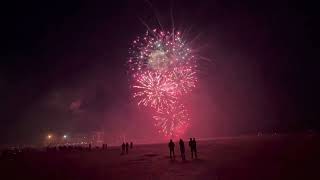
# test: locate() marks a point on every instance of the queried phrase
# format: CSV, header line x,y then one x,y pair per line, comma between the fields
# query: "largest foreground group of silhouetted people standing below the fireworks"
x,y
192,145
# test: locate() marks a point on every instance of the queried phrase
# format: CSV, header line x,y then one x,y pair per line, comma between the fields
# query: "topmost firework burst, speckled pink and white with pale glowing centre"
x,y
158,50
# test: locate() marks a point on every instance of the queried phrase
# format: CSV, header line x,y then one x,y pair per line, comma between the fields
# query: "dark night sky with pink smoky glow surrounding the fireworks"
x,y
62,68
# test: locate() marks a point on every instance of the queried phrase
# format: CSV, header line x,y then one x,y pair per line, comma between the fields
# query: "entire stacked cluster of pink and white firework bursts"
x,y
163,69
